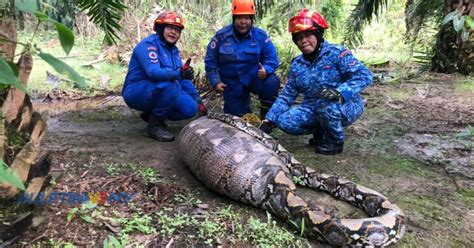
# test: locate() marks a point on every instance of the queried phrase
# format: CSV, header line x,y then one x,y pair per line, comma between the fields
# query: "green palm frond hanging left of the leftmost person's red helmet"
x,y
106,14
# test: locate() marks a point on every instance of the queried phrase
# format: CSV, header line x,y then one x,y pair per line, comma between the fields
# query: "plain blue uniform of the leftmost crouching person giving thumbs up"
x,y
154,83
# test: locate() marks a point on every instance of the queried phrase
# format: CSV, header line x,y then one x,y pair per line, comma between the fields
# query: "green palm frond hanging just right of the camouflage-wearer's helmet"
x,y
360,16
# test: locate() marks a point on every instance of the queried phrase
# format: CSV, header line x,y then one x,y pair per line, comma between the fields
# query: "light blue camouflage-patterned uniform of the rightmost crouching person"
x,y
334,68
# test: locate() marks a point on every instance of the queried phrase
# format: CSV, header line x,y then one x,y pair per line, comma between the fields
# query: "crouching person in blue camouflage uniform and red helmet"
x,y
329,77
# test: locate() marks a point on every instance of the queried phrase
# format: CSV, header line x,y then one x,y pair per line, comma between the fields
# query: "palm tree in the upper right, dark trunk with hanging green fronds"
x,y
454,47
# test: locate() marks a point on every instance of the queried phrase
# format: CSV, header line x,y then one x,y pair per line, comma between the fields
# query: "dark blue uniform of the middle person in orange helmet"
x,y
235,63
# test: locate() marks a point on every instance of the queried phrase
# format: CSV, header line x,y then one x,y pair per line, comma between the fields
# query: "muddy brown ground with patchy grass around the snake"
x,y
414,144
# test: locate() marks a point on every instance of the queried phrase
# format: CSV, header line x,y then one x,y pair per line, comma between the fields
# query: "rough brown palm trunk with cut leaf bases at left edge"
x,y
17,116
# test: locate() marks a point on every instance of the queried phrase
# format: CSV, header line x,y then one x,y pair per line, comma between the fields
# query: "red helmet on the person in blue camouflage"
x,y
306,20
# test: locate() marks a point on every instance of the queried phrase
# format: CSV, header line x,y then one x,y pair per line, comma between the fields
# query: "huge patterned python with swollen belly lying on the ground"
x,y
240,161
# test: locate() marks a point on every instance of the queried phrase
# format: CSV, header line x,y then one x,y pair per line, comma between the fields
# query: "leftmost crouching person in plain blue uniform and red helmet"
x,y
157,82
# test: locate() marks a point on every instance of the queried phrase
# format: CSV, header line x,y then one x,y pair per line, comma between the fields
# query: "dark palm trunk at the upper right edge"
x,y
452,53
